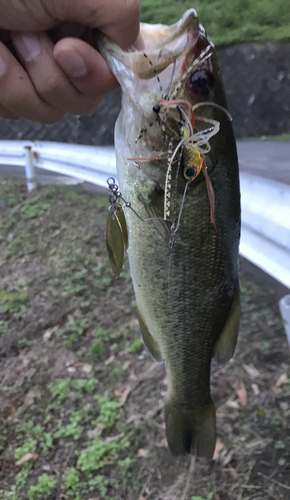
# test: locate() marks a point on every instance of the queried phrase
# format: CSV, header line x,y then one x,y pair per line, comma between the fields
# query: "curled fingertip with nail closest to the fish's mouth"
x,y
85,67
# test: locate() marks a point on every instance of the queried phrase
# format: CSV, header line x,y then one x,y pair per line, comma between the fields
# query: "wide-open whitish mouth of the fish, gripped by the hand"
x,y
163,47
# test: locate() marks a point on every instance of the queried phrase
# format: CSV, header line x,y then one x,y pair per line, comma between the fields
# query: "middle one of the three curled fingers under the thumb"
x,y
49,80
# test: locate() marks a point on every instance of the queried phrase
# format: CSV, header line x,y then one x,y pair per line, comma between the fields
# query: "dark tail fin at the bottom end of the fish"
x,y
191,431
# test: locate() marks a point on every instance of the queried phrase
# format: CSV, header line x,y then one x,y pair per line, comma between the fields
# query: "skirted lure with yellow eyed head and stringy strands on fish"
x,y
192,145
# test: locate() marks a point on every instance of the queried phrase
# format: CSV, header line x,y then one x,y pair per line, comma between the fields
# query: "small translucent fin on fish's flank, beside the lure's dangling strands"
x,y
154,206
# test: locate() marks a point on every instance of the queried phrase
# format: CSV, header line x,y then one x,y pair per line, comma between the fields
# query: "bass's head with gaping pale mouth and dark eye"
x,y
176,62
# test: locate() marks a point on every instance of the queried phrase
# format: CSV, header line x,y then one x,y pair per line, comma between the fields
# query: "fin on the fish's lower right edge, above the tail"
x,y
226,343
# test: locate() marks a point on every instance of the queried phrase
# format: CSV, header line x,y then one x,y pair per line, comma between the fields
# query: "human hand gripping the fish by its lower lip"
x,y
51,68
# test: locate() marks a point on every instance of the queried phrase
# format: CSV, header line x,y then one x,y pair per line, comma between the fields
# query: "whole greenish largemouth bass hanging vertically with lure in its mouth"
x,y
178,178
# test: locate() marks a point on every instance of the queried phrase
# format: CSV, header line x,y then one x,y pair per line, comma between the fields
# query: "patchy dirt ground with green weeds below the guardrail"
x,y
81,405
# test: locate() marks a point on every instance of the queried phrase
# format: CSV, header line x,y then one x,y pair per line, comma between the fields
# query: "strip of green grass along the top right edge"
x,y
227,22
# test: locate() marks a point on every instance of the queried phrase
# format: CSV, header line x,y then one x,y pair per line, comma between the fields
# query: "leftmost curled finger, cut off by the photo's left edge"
x,y
17,94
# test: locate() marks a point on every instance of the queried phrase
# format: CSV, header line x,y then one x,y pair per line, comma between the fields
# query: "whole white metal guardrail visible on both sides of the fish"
x,y
265,238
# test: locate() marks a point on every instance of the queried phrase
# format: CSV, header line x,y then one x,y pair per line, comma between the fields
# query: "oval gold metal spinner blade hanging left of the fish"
x,y
116,240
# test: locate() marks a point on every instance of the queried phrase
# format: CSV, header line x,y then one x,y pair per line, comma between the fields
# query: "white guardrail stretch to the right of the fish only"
x,y
265,237
